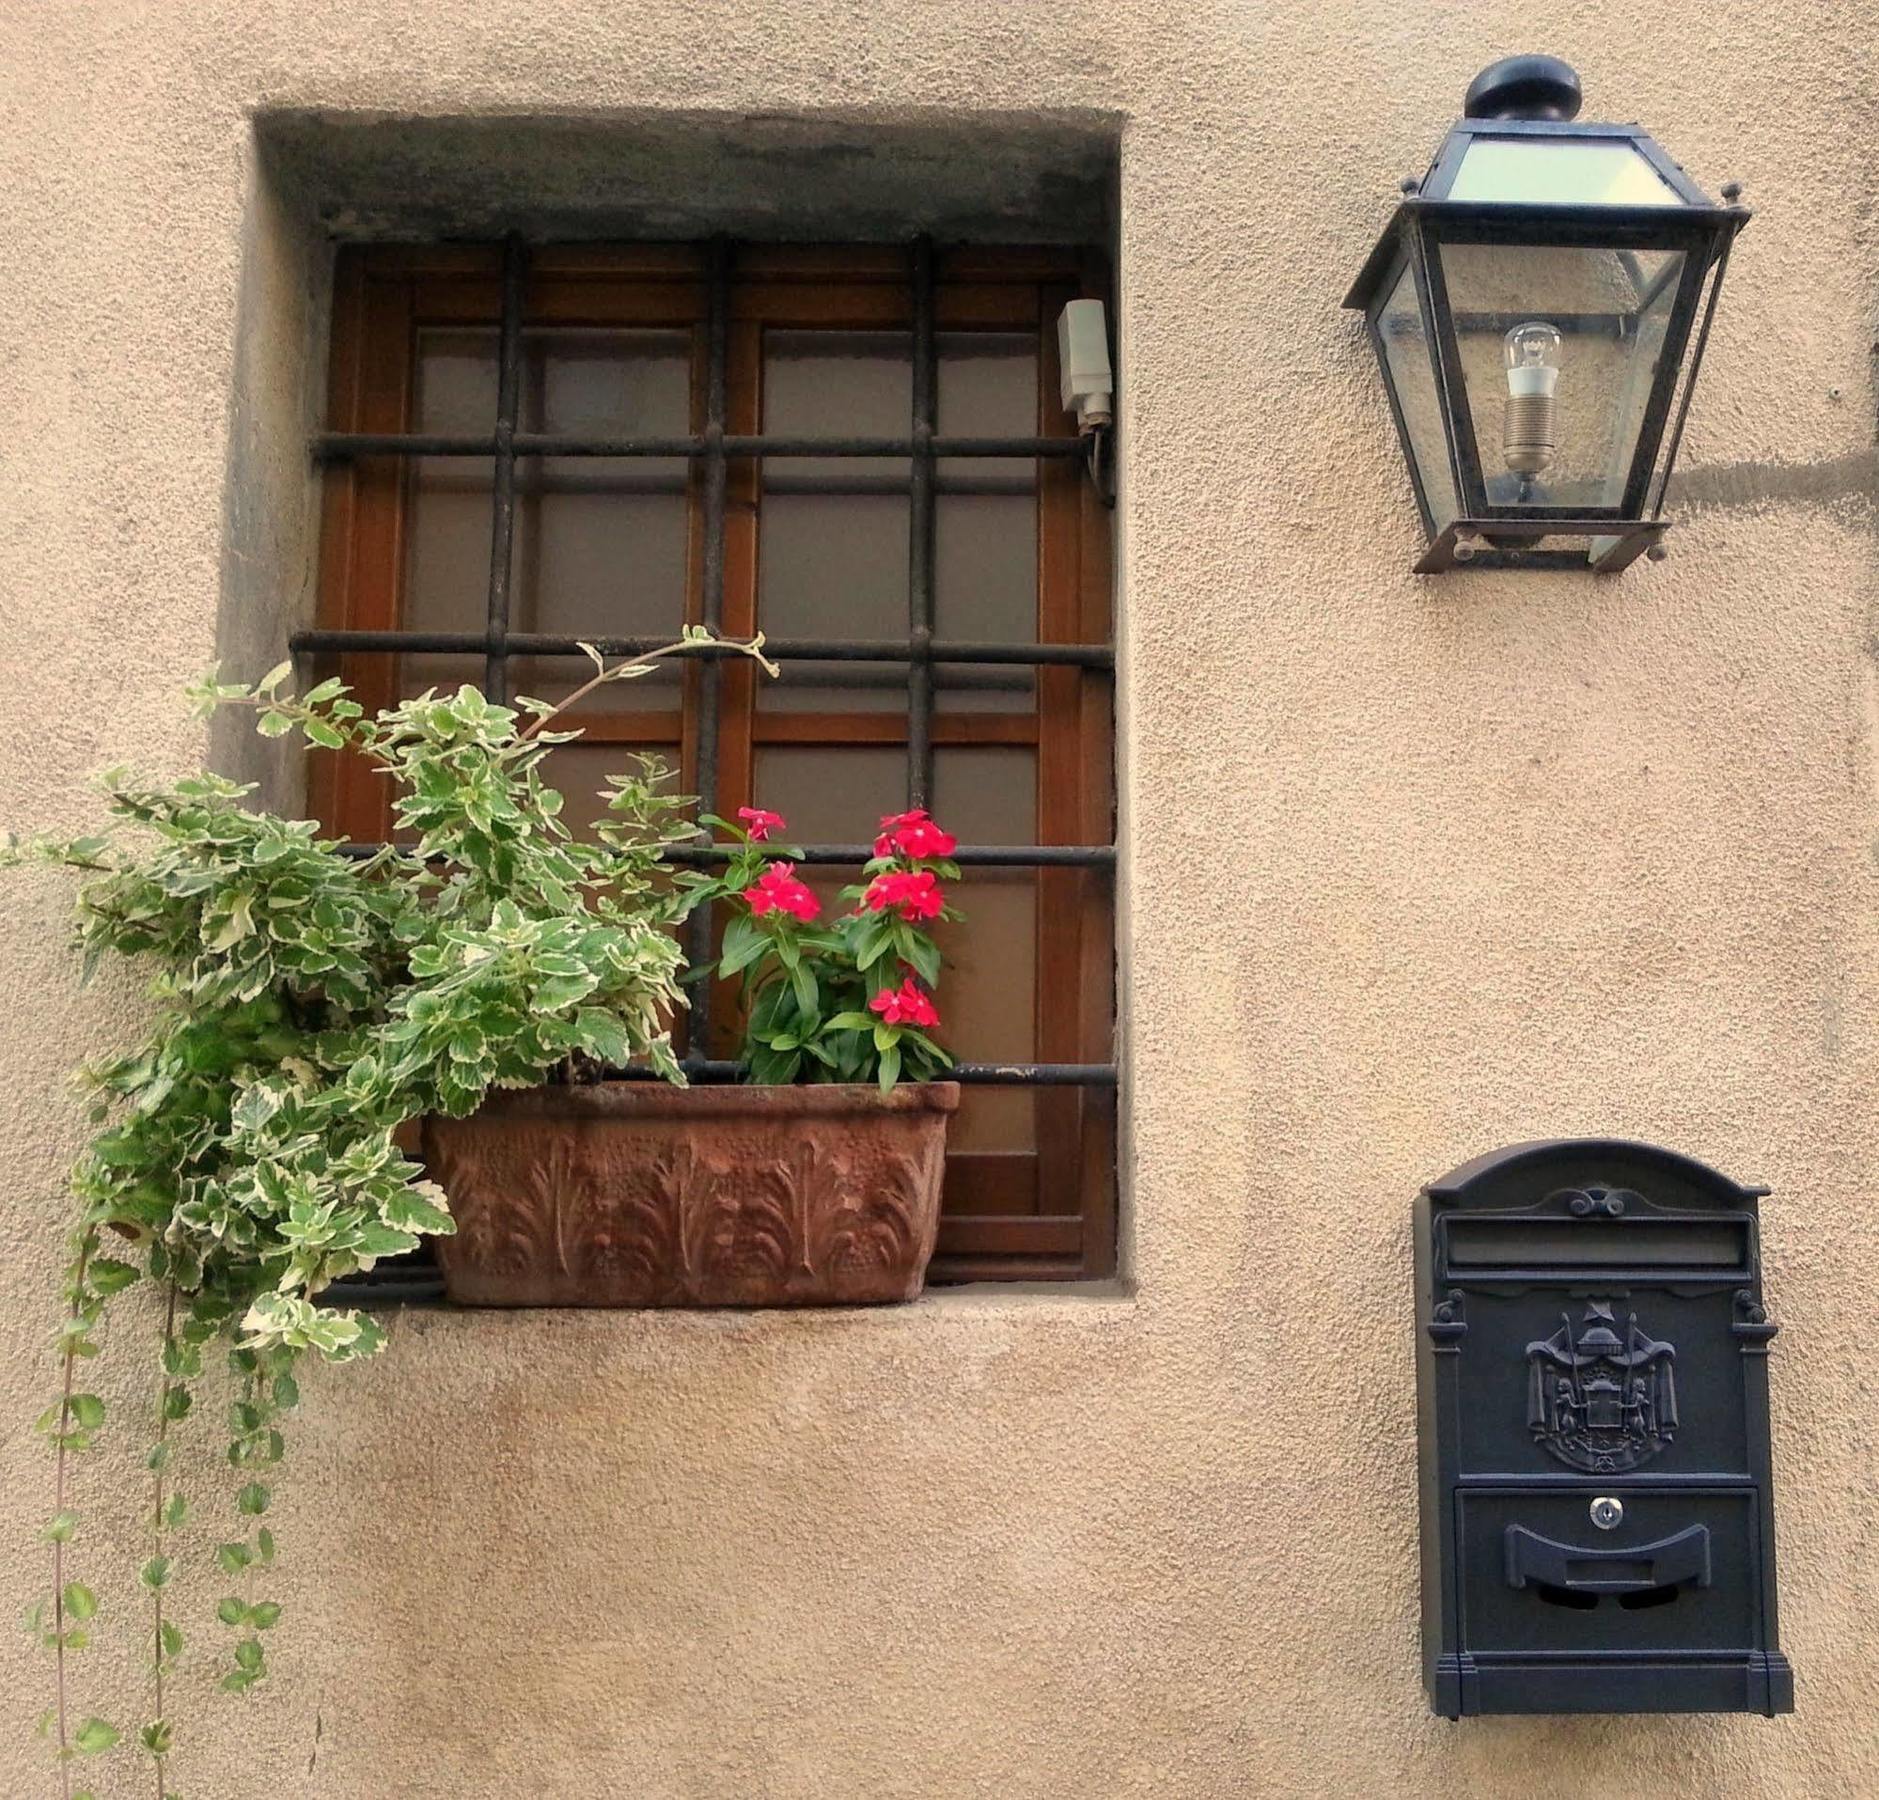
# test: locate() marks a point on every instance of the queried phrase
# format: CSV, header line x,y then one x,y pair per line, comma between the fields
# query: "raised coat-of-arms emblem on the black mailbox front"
x,y
1602,1397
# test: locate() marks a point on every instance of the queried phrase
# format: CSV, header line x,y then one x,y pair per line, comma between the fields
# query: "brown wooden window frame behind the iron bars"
x,y
993,1226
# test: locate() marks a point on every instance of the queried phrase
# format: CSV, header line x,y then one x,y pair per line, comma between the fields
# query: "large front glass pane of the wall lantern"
x,y
1611,311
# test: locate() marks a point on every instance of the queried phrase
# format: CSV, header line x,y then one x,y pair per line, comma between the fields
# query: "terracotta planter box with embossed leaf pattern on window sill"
x,y
638,1194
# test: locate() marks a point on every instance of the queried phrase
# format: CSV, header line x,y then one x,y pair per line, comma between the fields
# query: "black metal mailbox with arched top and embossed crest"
x,y
1592,1378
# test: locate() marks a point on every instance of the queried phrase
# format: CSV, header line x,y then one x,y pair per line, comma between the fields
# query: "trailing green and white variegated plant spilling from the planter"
x,y
307,1004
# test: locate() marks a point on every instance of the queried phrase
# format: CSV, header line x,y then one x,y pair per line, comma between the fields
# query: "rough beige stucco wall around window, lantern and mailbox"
x,y
1429,867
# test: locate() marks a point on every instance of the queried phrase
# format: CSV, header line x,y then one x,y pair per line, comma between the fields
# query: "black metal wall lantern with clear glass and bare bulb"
x,y
1532,307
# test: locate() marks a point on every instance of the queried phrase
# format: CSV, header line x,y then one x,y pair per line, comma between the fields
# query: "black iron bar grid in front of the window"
x,y
715,450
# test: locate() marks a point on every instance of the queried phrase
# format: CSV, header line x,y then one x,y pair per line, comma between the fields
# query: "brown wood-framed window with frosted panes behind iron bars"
x,y
858,452
